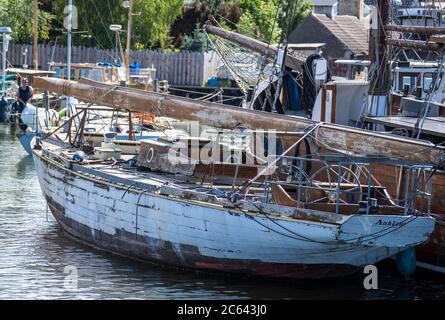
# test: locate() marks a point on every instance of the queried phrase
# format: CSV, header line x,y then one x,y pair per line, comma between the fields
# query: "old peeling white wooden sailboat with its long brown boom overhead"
x,y
166,213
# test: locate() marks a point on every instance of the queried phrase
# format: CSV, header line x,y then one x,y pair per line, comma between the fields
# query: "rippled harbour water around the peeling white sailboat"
x,y
36,259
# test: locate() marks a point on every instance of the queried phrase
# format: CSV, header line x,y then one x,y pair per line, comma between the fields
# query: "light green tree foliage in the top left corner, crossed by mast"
x,y
19,16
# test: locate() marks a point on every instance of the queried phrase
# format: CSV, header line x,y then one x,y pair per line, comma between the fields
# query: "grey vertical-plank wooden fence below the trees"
x,y
178,68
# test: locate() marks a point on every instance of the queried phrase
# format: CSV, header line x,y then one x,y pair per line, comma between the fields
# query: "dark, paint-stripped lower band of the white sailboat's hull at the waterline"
x,y
166,253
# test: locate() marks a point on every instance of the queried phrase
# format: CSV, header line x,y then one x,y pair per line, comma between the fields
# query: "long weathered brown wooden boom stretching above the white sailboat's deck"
x,y
358,141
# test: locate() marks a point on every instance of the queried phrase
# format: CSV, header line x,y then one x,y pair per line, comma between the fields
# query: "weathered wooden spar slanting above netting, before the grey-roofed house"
x,y
292,60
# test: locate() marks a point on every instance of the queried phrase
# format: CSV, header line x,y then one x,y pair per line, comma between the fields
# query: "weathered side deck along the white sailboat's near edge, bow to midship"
x,y
182,187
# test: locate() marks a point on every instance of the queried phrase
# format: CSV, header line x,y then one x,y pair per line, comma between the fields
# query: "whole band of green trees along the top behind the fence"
x,y
156,23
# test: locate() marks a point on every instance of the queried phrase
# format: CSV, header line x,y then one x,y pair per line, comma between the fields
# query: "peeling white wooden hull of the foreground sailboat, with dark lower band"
x,y
185,233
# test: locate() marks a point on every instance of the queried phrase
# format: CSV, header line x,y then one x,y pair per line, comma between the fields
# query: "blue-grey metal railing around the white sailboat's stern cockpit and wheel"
x,y
346,184
